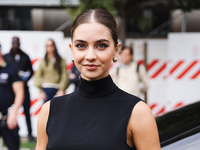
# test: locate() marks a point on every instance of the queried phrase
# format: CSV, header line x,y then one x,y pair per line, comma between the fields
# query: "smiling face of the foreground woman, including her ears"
x,y
93,50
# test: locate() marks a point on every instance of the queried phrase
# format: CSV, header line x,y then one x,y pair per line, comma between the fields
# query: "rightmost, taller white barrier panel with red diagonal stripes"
x,y
183,68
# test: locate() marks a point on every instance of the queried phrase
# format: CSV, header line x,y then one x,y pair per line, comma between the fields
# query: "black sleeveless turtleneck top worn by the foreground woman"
x,y
94,117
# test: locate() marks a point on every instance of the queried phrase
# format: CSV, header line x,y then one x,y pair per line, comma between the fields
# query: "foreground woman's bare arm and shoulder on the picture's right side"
x,y
143,128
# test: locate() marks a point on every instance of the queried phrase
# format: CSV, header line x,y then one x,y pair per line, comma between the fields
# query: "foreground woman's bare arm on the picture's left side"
x,y
42,137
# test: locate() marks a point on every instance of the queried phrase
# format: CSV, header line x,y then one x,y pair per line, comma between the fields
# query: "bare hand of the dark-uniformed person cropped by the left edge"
x,y
12,120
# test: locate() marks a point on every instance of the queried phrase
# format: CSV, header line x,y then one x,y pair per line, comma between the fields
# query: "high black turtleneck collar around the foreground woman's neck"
x,y
96,88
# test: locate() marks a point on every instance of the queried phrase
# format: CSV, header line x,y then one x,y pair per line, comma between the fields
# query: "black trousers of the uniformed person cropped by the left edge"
x,y
11,138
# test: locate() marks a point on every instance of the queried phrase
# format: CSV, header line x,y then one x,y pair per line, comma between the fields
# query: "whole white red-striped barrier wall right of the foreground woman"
x,y
173,68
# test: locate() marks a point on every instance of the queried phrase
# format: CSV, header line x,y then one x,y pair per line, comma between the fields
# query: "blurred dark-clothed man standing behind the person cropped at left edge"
x,y
17,57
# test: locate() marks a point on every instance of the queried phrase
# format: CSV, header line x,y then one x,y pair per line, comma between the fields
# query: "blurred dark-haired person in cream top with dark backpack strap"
x,y
129,75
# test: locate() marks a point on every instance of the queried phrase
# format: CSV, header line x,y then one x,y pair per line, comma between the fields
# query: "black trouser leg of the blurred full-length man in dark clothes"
x,y
26,106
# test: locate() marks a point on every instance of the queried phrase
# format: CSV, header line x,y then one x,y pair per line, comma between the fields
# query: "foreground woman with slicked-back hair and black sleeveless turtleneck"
x,y
98,115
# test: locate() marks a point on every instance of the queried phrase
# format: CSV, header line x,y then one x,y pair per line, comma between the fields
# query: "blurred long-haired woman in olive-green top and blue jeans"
x,y
51,77
